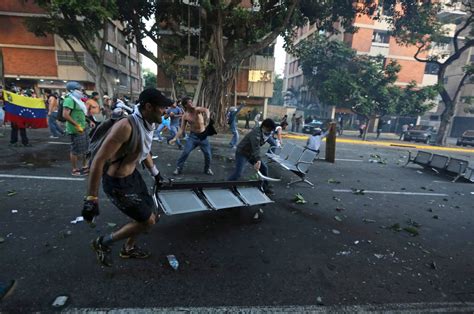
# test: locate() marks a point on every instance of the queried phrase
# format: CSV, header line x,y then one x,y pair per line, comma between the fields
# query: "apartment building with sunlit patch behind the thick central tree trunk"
x,y
255,78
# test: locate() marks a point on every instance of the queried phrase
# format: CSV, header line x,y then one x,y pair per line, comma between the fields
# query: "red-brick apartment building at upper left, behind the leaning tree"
x,y
47,62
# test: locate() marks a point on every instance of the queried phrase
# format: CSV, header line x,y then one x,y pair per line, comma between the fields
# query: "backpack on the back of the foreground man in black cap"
x,y
99,134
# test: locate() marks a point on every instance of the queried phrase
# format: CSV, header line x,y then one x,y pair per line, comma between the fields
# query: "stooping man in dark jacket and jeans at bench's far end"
x,y
248,150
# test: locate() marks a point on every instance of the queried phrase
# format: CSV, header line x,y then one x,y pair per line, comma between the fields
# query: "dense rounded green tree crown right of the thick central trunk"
x,y
365,84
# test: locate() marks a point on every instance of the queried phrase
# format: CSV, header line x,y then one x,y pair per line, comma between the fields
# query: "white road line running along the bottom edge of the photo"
x,y
435,307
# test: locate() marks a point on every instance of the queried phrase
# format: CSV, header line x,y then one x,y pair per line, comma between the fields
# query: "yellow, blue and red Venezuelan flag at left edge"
x,y
26,112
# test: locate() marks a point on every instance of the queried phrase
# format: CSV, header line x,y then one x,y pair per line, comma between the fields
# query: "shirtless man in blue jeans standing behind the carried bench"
x,y
198,118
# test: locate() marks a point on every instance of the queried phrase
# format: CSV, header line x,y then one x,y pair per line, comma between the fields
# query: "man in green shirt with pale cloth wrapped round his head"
x,y
75,112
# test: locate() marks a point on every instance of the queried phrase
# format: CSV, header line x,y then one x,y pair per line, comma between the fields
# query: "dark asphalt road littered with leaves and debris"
x,y
336,250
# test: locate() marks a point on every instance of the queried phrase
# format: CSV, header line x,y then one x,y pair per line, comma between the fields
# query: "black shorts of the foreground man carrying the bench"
x,y
130,195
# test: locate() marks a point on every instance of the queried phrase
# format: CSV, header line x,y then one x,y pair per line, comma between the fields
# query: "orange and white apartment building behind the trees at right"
x,y
372,38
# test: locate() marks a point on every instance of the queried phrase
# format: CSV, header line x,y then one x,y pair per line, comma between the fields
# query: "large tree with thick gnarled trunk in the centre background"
x,y
223,33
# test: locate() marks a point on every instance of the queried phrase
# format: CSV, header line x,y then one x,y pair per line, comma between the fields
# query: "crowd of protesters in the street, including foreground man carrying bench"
x,y
110,138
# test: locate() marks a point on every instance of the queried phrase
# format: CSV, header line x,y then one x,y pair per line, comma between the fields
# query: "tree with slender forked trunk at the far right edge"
x,y
419,24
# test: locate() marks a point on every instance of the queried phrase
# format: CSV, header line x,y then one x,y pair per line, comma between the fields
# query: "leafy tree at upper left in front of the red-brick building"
x,y
84,22
